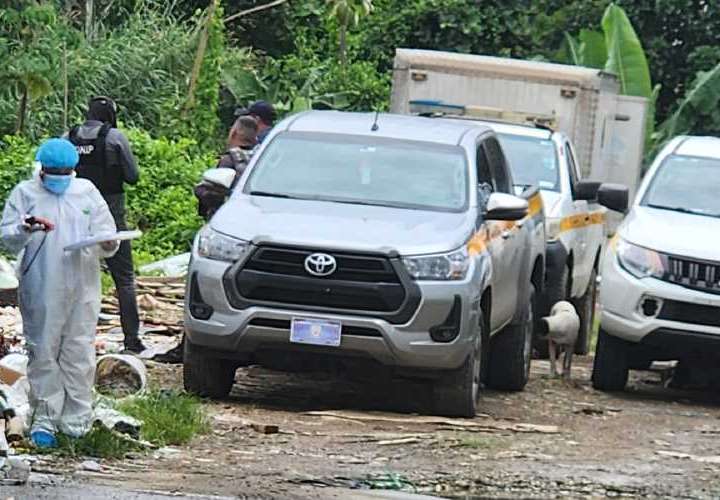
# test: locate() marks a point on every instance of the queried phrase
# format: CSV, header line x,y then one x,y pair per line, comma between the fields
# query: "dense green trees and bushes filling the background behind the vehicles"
x,y
179,69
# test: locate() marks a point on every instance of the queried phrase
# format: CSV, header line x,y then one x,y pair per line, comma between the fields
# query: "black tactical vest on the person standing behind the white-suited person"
x,y
93,163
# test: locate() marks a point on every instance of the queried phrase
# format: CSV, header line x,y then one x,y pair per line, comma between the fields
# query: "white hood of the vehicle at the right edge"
x,y
684,235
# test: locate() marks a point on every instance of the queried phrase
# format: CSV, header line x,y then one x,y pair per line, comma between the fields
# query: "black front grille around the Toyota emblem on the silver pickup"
x,y
365,283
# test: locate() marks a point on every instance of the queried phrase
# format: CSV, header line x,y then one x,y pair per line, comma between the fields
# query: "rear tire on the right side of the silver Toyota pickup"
x,y
511,351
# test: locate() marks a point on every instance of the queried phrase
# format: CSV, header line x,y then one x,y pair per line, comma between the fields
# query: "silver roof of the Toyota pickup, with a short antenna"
x,y
403,127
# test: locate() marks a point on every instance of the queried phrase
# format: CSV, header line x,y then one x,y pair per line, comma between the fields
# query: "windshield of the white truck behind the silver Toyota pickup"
x,y
533,161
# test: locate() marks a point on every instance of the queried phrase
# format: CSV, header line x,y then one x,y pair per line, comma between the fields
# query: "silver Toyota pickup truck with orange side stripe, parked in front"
x,y
393,240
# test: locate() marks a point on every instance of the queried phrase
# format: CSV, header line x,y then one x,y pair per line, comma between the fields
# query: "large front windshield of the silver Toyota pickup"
x,y
362,170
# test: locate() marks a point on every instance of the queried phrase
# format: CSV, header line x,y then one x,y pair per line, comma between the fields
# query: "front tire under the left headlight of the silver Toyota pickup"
x,y
205,376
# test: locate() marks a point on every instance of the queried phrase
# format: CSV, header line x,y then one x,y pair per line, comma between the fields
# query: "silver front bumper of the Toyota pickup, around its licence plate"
x,y
240,333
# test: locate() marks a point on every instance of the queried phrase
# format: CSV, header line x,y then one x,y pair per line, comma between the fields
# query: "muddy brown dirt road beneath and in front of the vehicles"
x,y
650,442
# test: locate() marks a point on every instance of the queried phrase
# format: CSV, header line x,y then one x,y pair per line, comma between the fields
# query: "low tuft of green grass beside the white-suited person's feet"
x,y
168,417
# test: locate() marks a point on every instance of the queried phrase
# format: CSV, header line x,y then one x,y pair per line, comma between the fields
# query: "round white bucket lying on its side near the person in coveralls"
x,y
119,375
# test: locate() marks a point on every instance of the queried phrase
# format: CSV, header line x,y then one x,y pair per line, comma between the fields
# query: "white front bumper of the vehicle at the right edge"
x,y
622,297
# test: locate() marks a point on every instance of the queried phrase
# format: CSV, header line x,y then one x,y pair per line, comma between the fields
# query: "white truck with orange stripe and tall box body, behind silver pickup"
x,y
568,124
